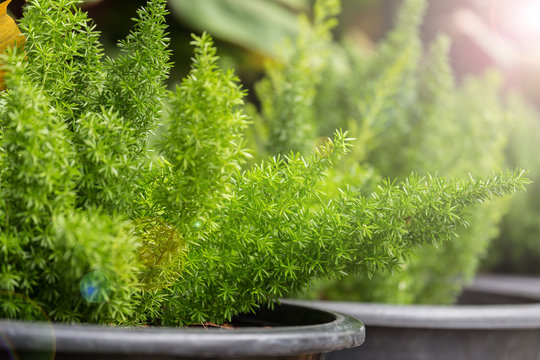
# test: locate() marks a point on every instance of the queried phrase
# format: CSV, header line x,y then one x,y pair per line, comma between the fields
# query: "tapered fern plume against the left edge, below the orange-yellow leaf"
x,y
39,176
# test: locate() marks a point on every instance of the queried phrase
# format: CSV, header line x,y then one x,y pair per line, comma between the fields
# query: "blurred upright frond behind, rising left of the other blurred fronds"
x,y
287,92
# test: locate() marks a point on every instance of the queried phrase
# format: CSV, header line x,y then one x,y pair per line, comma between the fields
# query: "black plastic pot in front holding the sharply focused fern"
x,y
287,332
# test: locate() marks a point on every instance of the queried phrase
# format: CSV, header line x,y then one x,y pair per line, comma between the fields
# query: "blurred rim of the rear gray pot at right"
x,y
464,317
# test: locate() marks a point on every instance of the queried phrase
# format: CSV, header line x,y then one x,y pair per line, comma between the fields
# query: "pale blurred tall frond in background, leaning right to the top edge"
x,y
384,87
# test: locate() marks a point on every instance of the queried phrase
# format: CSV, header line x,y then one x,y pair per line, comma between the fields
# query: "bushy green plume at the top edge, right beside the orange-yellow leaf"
x,y
65,54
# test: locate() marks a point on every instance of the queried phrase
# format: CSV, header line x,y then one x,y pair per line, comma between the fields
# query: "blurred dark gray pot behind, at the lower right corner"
x,y
508,328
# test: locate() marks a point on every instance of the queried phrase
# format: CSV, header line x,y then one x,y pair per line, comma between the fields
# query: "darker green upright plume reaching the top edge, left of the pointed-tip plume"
x,y
134,83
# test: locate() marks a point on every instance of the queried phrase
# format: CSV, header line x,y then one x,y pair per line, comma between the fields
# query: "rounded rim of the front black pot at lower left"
x,y
343,332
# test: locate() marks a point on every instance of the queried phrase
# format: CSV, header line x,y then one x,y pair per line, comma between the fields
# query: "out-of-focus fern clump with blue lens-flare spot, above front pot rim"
x,y
97,268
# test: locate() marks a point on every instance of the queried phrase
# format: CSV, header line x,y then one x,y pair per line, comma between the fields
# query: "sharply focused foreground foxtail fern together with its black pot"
x,y
109,216
